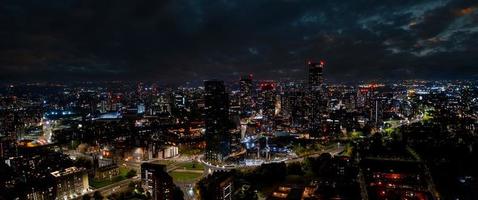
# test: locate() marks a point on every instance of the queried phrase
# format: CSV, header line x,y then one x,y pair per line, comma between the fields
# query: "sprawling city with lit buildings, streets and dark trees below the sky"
x,y
279,139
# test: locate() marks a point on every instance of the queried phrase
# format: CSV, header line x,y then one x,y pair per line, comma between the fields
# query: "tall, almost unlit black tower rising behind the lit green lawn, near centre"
x,y
218,139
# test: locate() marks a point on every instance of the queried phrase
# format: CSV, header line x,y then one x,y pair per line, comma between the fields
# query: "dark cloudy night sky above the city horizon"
x,y
183,40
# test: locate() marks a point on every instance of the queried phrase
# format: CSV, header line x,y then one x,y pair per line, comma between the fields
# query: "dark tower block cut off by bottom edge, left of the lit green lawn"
x,y
157,181
